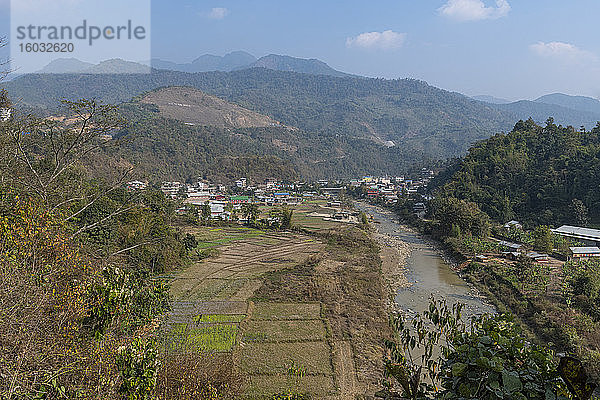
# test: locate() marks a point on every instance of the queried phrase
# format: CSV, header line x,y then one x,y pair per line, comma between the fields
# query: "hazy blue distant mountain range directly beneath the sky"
x,y
426,122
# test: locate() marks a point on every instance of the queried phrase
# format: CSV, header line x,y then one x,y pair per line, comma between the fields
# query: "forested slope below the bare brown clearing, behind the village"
x,y
161,148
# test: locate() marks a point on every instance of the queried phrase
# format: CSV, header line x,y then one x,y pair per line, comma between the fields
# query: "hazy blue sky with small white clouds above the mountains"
x,y
506,48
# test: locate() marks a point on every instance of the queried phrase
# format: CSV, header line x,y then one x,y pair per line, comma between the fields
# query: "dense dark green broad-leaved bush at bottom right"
x,y
493,361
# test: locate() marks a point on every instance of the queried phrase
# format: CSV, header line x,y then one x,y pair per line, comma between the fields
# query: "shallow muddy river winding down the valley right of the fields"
x,y
427,272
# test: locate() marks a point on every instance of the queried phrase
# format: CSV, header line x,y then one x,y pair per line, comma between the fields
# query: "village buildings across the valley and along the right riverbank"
x,y
226,202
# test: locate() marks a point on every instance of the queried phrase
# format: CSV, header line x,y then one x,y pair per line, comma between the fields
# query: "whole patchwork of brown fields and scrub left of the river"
x,y
295,310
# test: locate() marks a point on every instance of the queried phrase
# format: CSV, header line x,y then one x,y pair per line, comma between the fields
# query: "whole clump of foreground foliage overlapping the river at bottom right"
x,y
435,355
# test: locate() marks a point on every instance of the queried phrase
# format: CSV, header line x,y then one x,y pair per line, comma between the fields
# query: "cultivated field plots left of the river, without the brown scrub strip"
x,y
281,345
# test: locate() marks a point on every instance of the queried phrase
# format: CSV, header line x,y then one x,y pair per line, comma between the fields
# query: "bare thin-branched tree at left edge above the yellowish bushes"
x,y
48,155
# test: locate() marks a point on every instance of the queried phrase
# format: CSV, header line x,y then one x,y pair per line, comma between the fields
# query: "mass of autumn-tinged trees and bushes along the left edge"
x,y
80,260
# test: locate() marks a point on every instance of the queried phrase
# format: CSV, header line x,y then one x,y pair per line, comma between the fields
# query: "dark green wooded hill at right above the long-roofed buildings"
x,y
541,174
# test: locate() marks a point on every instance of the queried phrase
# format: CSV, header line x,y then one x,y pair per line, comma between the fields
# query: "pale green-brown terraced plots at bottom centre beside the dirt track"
x,y
284,347
